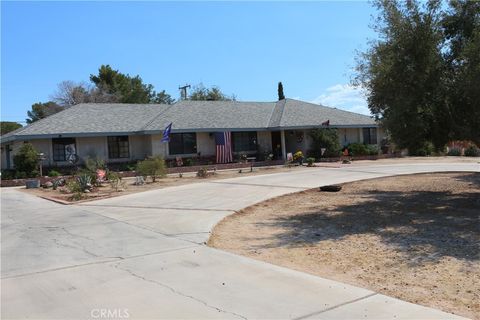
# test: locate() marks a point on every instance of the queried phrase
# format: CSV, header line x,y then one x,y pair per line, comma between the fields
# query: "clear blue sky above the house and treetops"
x,y
245,48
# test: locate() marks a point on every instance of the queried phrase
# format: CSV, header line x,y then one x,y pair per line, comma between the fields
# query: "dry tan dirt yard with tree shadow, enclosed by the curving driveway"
x,y
412,237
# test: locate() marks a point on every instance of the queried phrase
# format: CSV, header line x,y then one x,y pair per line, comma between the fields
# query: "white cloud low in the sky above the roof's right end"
x,y
344,96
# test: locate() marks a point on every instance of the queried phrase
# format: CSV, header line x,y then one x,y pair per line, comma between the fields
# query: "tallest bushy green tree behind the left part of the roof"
x,y
126,89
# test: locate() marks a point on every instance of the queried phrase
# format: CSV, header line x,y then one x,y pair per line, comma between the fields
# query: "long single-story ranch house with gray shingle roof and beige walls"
x,y
129,132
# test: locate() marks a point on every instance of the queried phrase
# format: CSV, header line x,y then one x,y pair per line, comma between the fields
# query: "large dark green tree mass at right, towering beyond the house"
x,y
429,92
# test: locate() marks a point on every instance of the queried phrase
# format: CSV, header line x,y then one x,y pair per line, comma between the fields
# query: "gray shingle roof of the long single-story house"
x,y
114,118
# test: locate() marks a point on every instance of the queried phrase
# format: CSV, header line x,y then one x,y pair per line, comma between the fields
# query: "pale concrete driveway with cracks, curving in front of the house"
x,y
142,256
